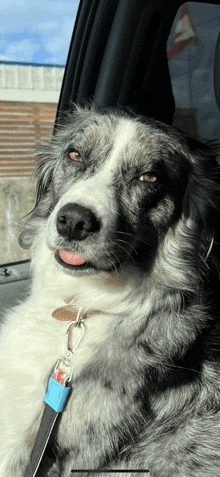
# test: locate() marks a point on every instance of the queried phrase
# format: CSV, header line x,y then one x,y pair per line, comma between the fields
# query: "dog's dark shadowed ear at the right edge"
x,y
201,203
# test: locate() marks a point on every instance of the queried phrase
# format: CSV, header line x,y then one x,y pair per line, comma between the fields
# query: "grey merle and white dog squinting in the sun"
x,y
126,236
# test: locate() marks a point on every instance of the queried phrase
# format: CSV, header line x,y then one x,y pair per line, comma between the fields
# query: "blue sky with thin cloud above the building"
x,y
36,31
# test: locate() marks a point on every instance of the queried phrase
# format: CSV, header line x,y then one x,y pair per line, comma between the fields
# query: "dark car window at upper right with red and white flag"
x,y
191,52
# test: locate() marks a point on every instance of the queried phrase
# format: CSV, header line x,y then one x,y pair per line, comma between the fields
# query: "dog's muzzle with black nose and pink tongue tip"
x,y
86,244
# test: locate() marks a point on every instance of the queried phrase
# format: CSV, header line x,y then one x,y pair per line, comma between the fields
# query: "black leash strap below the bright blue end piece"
x,y
46,426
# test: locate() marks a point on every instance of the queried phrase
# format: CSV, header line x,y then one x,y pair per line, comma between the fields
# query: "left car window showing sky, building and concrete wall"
x,y
33,51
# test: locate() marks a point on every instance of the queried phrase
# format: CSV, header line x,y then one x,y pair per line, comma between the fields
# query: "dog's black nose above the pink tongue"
x,y
76,222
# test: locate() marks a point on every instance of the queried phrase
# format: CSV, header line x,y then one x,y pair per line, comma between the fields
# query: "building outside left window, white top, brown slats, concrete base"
x,y
29,94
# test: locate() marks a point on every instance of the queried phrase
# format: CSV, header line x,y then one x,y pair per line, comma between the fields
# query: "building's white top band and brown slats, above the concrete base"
x,y
29,94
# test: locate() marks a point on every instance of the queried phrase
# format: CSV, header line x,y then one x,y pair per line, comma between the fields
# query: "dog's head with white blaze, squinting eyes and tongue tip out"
x,y
113,187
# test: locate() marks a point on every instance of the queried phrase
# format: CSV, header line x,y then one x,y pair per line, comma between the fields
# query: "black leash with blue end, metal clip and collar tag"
x,y
59,387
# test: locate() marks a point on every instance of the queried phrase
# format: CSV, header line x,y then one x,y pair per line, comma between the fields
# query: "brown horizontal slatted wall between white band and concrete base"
x,y
23,126
